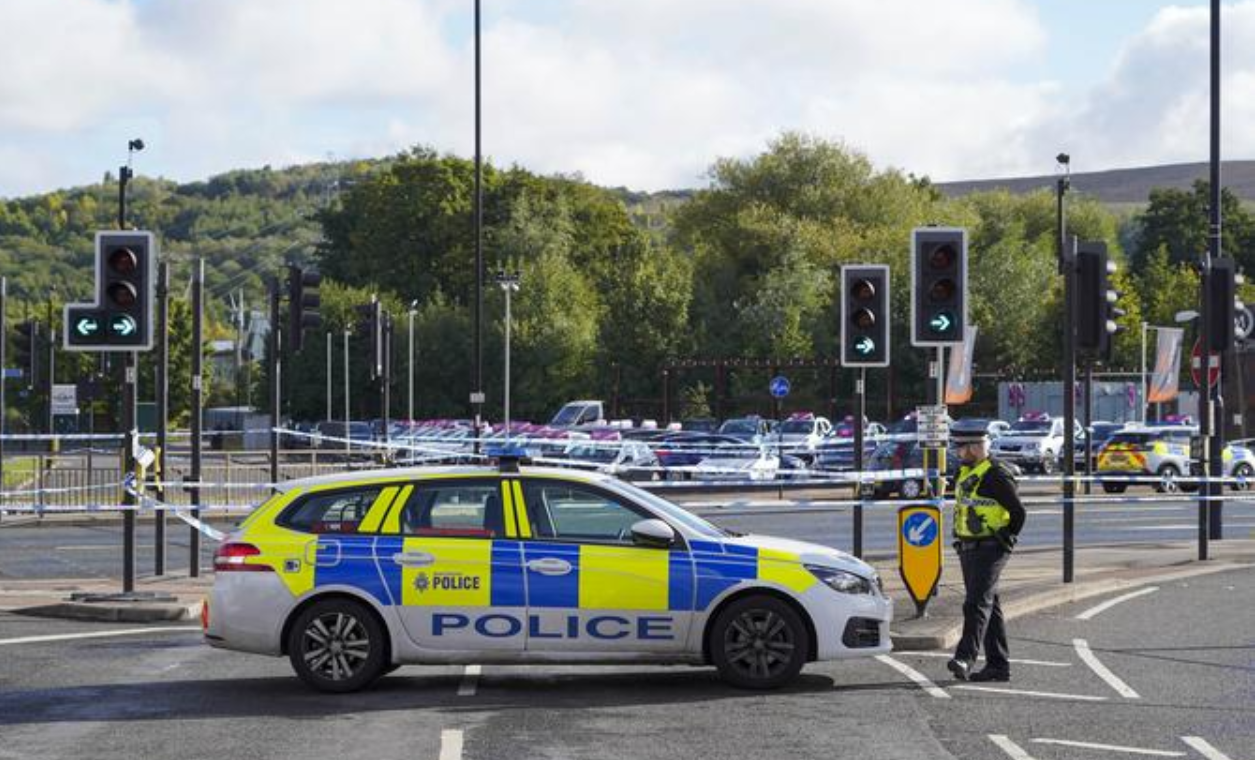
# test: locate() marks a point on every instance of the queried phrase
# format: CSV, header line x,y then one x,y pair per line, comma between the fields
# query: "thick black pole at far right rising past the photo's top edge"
x,y
1215,397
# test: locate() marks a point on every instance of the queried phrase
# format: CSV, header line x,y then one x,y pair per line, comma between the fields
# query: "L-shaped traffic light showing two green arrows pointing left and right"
x,y
121,317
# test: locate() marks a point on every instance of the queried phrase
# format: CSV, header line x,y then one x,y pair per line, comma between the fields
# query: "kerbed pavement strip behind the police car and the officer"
x,y
1032,583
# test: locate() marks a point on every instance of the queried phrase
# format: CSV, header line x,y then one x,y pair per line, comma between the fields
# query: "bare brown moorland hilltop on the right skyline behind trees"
x,y
1123,186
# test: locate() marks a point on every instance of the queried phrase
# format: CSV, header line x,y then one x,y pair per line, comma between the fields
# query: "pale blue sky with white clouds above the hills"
x,y
638,93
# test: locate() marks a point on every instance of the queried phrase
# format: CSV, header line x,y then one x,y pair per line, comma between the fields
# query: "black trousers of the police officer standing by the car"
x,y
982,615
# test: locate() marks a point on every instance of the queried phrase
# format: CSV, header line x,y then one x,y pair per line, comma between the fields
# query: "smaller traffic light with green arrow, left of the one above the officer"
x,y
865,315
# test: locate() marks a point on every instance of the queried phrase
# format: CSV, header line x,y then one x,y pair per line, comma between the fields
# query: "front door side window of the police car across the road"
x,y
570,512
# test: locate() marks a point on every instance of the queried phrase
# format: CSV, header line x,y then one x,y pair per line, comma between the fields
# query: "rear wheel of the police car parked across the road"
x,y
338,647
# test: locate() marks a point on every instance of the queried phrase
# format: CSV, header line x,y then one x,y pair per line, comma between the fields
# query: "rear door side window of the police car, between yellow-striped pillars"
x,y
469,510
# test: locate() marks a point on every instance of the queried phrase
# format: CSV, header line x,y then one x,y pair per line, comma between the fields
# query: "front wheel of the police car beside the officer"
x,y
759,643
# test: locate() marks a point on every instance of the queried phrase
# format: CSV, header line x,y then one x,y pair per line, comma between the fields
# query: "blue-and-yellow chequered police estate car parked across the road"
x,y
353,575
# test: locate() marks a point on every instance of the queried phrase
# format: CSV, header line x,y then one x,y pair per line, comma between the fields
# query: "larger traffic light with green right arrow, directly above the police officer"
x,y
939,283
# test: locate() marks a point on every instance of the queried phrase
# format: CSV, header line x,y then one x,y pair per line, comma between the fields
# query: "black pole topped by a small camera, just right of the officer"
x,y
1067,265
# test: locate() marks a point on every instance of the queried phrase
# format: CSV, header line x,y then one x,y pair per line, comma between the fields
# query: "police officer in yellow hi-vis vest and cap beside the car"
x,y
987,524
